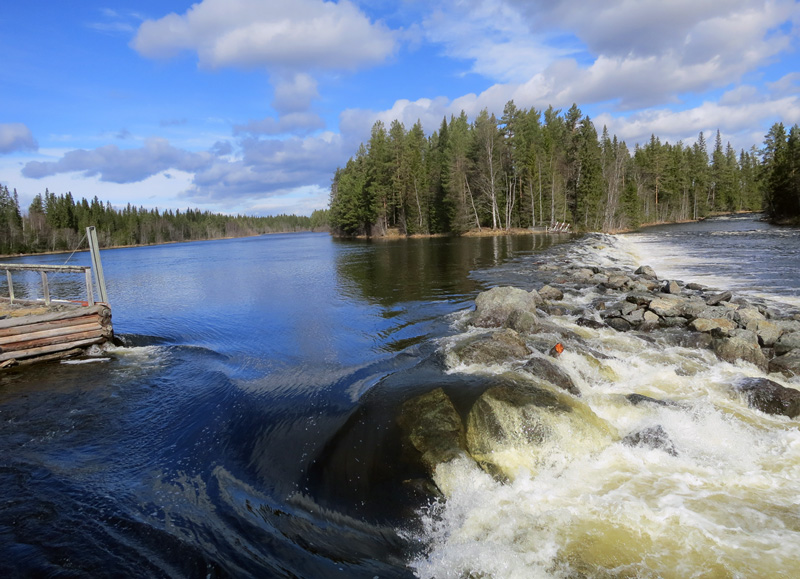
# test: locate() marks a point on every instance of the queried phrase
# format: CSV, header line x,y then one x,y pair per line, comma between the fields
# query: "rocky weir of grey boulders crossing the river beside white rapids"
x,y
512,327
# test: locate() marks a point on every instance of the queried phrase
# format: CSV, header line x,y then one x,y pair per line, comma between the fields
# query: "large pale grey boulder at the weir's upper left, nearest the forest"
x,y
506,307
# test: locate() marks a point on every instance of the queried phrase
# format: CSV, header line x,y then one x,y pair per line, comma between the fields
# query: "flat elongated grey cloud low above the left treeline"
x,y
117,165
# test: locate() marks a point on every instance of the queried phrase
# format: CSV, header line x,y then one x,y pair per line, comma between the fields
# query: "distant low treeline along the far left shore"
x,y
58,222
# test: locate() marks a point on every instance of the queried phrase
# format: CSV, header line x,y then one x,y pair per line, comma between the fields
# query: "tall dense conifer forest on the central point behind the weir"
x,y
532,168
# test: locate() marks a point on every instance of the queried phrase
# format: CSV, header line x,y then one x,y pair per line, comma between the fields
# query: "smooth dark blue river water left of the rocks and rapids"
x,y
247,427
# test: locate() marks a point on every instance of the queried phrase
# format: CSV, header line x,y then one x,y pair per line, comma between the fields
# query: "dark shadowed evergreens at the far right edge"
x,y
781,172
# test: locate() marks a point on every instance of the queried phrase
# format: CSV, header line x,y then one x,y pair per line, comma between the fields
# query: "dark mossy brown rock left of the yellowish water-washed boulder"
x,y
434,427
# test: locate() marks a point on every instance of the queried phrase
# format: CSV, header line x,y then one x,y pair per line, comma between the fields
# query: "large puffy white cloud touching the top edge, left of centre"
x,y
269,34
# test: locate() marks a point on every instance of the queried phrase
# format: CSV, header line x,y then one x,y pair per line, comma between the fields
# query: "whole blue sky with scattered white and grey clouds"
x,y
249,106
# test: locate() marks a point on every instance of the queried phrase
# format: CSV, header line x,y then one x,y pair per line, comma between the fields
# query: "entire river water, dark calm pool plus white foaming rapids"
x,y
247,426
